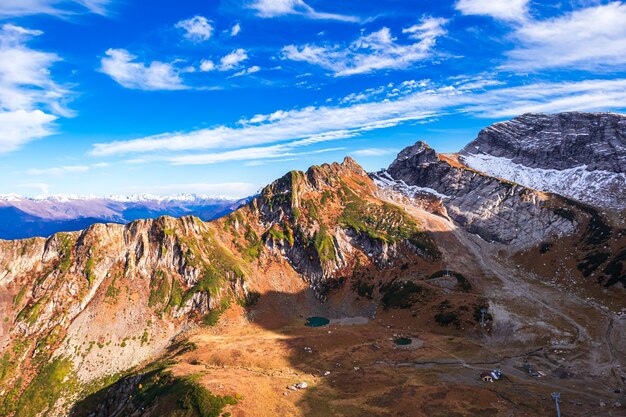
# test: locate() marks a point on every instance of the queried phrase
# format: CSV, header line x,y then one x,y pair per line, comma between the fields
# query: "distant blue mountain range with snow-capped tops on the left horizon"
x,y
22,217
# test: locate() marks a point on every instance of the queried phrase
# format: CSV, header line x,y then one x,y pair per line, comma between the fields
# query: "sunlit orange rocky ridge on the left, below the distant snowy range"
x,y
110,297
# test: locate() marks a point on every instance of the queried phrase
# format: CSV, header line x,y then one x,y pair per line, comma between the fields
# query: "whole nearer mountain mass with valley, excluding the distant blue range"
x,y
422,277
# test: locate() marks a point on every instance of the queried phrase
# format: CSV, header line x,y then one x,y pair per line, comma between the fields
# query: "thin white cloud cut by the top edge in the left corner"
x,y
14,8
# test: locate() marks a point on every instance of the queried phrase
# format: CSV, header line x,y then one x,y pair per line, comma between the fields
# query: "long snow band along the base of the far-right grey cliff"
x,y
599,188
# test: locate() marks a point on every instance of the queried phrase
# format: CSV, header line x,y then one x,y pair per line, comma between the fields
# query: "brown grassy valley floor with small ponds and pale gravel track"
x,y
356,370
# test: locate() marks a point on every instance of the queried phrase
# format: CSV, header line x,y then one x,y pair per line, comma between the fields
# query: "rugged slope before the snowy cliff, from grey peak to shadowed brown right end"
x,y
520,219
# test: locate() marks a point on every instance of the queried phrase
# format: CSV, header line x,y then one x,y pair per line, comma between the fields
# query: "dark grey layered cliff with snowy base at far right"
x,y
578,155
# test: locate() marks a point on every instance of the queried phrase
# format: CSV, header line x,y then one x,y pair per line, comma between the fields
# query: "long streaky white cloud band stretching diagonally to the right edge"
x,y
408,102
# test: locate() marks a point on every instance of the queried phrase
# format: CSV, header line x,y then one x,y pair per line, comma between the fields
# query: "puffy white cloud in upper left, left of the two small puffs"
x,y
120,65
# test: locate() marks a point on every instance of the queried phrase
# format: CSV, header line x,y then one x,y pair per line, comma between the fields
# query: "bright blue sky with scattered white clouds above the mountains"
x,y
102,97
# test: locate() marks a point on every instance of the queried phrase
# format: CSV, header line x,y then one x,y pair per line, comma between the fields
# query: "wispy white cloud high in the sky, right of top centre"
x,y
375,51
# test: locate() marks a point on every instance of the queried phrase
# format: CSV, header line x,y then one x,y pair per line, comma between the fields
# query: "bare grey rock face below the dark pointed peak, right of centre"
x,y
496,210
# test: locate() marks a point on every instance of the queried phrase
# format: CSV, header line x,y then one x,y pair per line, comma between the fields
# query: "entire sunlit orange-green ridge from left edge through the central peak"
x,y
98,302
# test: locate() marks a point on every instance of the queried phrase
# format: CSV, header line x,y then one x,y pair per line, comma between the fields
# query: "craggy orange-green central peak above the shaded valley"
x,y
317,220
